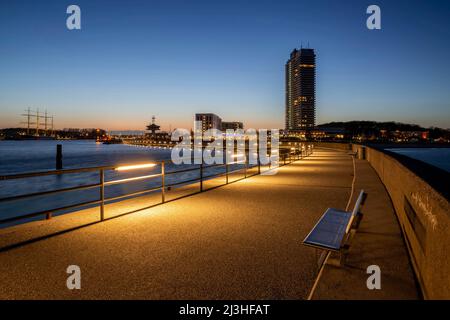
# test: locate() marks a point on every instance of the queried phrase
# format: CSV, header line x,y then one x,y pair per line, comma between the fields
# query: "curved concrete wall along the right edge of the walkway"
x,y
424,217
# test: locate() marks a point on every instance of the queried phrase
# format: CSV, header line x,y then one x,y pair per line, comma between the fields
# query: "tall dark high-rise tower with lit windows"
x,y
300,91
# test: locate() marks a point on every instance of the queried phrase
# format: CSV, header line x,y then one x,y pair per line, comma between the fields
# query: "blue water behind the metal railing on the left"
x,y
29,156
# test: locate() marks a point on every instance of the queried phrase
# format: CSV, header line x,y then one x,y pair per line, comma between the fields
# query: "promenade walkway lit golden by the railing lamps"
x,y
240,241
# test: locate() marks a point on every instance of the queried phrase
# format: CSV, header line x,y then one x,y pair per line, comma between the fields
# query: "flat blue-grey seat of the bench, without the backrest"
x,y
330,230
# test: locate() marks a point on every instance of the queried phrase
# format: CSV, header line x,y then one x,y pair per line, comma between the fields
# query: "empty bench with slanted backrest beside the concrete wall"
x,y
336,228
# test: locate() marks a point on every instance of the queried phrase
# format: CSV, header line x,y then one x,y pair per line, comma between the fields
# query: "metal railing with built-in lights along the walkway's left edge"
x,y
287,155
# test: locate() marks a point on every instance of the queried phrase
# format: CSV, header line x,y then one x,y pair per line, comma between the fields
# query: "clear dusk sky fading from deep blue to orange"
x,y
133,59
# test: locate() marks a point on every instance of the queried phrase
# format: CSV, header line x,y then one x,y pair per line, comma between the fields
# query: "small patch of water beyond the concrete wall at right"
x,y
438,157
